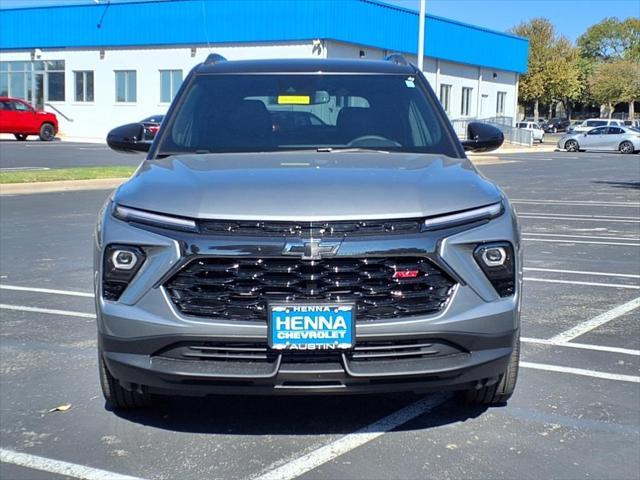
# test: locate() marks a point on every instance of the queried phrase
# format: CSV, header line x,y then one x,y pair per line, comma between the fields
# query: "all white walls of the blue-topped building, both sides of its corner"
x,y
95,119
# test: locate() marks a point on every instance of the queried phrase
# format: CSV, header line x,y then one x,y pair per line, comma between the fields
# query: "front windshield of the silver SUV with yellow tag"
x,y
253,113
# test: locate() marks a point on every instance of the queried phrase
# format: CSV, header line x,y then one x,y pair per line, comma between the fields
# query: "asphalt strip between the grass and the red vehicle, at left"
x,y
57,154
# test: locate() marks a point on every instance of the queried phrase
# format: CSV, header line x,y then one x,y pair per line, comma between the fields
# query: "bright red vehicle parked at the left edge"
x,y
21,119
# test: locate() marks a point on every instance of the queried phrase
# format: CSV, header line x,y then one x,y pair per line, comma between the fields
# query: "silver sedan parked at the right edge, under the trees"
x,y
622,139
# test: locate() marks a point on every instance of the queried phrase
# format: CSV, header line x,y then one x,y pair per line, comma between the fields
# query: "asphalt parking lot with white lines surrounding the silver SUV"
x,y
575,413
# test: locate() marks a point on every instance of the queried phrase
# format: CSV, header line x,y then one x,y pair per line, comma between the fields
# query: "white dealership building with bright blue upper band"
x,y
104,64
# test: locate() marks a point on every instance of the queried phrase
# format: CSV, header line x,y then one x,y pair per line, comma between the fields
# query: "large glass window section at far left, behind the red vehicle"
x,y
36,82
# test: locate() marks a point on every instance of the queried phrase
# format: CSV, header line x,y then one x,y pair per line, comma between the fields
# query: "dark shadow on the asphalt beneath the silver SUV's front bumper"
x,y
299,415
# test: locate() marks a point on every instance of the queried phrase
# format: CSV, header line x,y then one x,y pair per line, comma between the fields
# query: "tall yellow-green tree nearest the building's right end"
x,y
553,71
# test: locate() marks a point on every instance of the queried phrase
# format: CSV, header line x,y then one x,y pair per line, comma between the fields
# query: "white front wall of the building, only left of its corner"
x,y
95,119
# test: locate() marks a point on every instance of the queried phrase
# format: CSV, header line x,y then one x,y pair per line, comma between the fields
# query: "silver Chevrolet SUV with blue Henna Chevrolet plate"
x,y
305,227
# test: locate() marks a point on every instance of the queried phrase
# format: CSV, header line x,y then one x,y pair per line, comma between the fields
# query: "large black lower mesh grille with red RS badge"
x,y
241,288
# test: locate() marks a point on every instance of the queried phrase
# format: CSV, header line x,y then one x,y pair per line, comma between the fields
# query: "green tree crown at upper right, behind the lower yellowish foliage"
x,y
612,39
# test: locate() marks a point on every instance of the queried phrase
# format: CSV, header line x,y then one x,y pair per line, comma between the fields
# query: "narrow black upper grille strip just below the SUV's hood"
x,y
311,229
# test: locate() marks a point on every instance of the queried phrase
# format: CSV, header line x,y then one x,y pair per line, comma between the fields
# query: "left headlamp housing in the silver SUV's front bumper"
x,y
121,263
